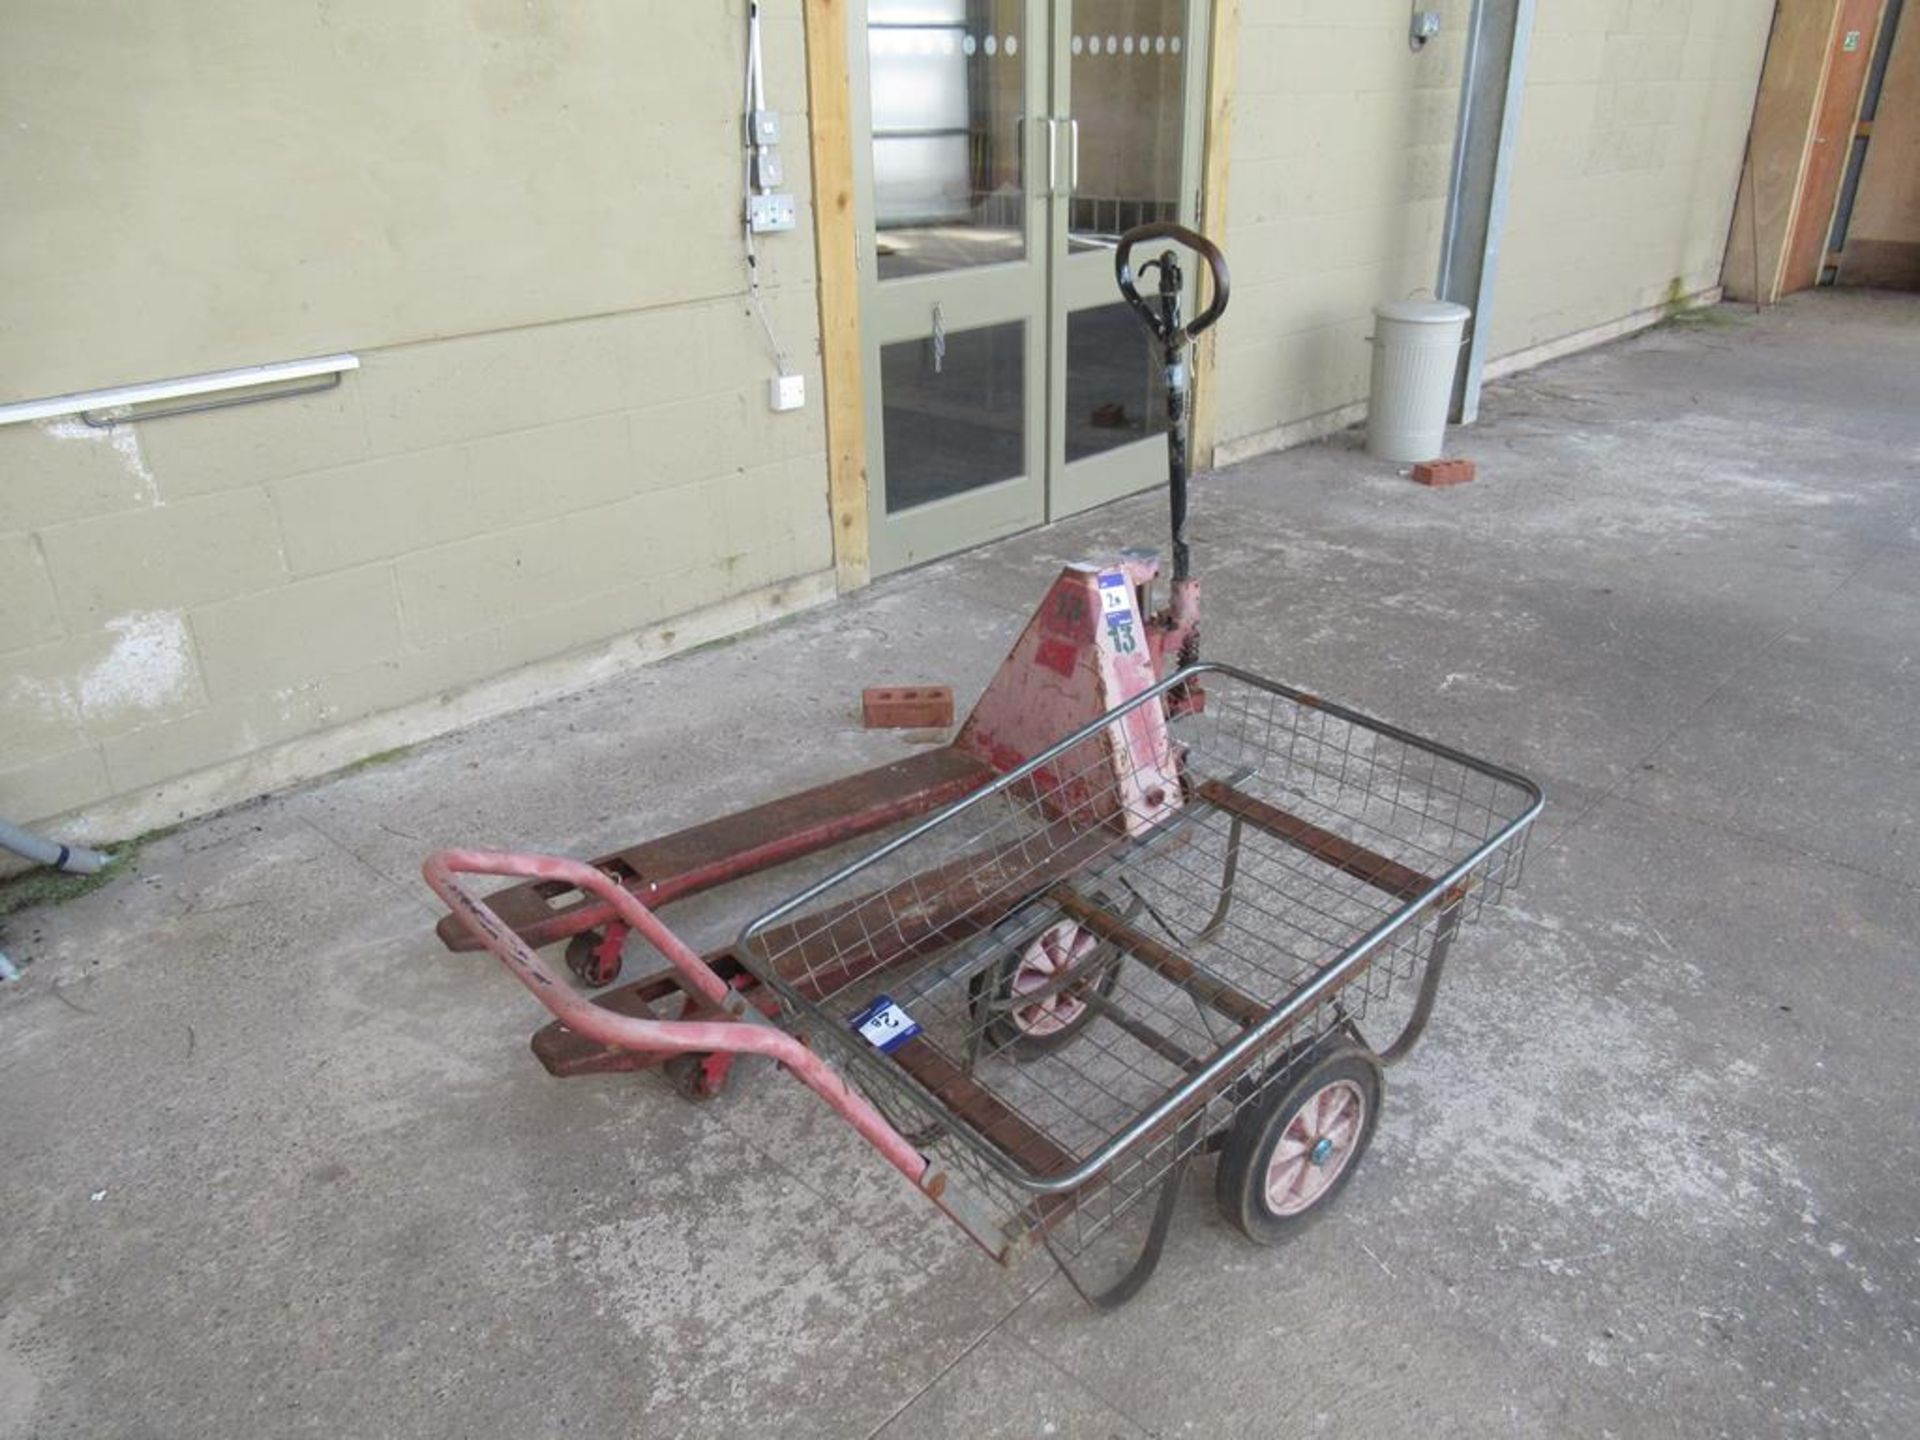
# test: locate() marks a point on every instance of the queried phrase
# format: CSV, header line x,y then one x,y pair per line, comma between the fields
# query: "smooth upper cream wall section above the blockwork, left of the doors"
x,y
260,181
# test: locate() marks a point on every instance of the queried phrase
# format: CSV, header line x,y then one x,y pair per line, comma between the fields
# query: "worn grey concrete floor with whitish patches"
x,y
276,1164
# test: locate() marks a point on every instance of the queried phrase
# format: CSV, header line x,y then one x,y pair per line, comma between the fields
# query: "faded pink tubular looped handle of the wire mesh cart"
x,y
742,1034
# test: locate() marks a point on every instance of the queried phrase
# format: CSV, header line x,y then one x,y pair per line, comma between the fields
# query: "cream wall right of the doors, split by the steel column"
x,y
1629,156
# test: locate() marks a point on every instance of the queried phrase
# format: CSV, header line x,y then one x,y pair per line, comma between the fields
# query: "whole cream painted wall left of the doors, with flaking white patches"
x,y
523,220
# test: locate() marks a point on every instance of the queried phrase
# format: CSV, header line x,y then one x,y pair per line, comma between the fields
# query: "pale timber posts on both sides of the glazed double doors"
x,y
836,256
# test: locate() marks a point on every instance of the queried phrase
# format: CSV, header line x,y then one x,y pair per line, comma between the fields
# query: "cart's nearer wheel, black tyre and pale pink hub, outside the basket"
x,y
1299,1143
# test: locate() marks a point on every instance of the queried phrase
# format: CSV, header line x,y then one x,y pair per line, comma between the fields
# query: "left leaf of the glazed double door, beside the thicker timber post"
x,y
955,299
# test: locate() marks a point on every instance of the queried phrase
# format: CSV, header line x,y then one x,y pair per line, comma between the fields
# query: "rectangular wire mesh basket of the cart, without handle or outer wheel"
x,y
1097,990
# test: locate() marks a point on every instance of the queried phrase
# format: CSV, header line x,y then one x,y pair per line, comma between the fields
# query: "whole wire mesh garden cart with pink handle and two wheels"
x,y
1199,926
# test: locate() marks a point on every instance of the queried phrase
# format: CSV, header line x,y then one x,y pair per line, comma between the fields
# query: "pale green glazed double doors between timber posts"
x,y
1003,147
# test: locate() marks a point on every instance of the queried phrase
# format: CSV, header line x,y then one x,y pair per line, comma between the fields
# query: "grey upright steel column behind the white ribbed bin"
x,y
1483,166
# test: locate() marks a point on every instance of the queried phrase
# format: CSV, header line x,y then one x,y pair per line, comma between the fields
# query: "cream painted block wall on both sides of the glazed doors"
x,y
558,456
